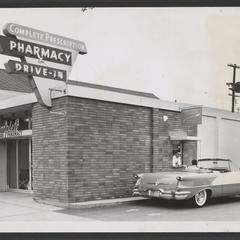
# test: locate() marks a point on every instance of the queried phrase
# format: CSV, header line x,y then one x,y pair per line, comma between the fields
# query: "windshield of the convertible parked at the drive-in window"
x,y
215,164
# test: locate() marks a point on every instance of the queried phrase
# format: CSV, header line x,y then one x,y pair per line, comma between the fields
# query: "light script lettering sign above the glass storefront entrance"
x,y
10,129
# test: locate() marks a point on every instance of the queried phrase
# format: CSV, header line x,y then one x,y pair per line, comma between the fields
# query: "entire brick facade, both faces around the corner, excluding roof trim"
x,y
93,151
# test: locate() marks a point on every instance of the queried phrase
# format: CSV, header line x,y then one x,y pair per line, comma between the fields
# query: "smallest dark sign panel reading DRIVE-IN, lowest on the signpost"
x,y
36,70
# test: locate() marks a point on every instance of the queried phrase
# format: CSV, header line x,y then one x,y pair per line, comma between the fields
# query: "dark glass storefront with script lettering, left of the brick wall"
x,y
13,129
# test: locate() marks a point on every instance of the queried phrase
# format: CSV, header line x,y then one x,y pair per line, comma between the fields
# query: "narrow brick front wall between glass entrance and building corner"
x,y
49,156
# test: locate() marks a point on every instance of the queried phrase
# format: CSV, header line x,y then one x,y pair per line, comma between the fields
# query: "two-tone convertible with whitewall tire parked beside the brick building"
x,y
210,178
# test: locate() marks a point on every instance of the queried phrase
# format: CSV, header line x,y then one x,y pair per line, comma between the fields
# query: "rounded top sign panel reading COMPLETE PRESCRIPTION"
x,y
12,29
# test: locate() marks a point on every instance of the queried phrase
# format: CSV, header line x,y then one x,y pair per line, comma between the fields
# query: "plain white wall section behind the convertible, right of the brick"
x,y
219,135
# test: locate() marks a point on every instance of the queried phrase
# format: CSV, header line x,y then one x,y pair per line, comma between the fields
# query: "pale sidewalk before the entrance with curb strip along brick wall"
x,y
21,207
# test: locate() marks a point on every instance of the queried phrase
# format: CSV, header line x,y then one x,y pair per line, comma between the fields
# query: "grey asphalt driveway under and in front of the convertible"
x,y
222,209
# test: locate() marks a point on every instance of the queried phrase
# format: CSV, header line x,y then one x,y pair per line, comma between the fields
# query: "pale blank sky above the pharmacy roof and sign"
x,y
176,53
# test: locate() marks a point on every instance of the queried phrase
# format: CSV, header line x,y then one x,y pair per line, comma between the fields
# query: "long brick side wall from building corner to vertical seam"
x,y
108,143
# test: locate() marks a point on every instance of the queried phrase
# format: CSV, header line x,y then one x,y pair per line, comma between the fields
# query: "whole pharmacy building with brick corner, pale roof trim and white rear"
x,y
94,139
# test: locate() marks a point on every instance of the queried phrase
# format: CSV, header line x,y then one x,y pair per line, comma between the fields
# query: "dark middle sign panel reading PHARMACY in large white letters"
x,y
18,48
